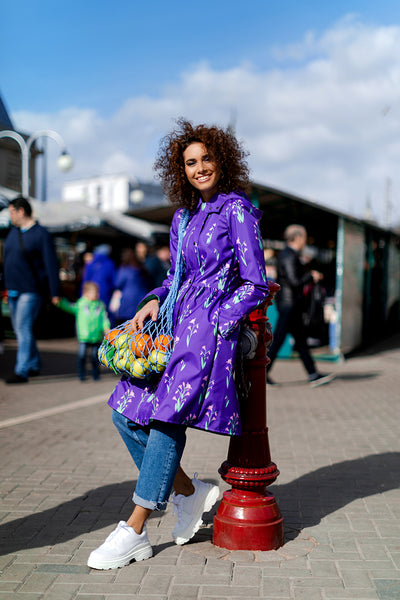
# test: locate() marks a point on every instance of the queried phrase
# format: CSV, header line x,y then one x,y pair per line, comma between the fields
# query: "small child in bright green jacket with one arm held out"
x,y
91,324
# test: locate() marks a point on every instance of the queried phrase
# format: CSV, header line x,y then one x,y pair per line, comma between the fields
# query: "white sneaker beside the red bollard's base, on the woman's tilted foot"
x,y
189,509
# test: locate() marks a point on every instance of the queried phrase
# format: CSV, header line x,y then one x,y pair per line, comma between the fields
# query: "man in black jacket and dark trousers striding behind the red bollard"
x,y
292,278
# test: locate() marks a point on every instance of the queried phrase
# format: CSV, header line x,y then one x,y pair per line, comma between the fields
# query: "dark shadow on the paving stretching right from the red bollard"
x,y
305,501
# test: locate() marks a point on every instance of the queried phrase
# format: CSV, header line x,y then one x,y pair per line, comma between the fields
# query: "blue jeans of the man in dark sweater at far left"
x,y
24,310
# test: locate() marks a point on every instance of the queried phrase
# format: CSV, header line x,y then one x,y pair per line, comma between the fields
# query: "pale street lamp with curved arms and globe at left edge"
x,y
64,162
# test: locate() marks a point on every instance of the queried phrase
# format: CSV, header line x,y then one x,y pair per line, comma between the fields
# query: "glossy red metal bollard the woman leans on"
x,y
248,517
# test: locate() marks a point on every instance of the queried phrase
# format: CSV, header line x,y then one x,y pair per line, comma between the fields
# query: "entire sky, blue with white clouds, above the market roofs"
x,y
112,76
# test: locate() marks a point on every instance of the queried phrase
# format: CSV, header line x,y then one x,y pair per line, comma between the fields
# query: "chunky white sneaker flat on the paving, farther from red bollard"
x,y
122,545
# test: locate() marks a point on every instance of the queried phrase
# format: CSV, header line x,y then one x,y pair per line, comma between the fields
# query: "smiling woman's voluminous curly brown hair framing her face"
x,y
222,147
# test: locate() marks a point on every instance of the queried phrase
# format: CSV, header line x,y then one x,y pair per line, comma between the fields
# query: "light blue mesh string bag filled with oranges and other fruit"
x,y
145,352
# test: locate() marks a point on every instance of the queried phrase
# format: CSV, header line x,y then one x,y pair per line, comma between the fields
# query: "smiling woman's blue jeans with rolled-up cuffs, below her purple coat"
x,y
157,451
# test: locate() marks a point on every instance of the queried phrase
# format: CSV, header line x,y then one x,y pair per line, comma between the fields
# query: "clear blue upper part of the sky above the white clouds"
x,y
96,54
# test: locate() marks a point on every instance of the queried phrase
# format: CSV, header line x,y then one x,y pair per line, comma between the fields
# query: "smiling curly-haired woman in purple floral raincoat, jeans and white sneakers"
x,y
215,237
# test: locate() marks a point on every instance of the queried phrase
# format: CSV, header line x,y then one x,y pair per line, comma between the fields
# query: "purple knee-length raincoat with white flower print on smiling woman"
x,y
224,281
